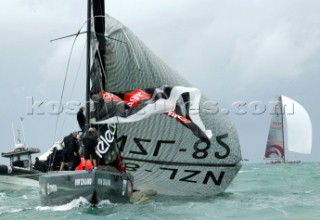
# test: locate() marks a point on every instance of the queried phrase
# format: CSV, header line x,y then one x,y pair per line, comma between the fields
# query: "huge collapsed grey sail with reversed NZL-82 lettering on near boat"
x,y
161,153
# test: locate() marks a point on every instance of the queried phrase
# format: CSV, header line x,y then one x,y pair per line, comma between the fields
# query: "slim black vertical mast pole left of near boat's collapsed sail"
x,y
87,118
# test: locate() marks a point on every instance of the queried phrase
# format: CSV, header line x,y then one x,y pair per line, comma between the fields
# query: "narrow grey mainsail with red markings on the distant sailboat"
x,y
275,144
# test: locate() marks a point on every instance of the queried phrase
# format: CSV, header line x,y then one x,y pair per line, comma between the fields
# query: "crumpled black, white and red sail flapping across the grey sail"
x,y
138,105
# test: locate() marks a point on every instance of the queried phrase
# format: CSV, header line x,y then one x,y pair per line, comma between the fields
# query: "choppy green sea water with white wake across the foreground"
x,y
259,191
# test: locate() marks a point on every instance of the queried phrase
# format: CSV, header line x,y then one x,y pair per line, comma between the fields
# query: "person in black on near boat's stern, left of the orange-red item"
x,y
71,151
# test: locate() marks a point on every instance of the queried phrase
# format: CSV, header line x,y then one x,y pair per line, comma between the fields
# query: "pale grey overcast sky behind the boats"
x,y
244,50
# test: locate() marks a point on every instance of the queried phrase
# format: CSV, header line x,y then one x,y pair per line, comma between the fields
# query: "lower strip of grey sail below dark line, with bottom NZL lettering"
x,y
182,180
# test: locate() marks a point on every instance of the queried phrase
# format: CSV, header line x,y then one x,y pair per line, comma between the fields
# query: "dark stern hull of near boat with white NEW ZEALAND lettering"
x,y
58,188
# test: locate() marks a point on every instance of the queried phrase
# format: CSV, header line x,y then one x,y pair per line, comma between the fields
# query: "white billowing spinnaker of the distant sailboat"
x,y
299,127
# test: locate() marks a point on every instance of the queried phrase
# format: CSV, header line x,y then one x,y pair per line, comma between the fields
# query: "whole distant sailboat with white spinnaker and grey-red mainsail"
x,y
296,136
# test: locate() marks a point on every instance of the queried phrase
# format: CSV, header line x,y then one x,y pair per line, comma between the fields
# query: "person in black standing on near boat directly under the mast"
x,y
90,141
